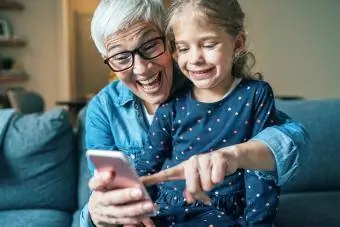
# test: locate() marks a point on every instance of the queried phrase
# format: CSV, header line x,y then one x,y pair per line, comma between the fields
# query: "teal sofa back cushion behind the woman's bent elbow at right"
x,y
321,170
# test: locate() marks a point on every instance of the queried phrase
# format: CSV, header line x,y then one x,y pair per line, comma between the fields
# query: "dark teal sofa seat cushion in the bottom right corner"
x,y
309,209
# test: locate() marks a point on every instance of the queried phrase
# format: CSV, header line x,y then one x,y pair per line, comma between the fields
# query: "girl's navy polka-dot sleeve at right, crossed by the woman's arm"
x,y
261,194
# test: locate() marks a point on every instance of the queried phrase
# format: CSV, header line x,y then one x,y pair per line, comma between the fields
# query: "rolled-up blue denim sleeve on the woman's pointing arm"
x,y
286,140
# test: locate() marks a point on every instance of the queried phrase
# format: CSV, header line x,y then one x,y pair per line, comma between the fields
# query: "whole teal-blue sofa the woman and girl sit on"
x,y
43,171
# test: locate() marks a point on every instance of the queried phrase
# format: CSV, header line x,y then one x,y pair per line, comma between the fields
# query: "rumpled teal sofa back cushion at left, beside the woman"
x,y
38,165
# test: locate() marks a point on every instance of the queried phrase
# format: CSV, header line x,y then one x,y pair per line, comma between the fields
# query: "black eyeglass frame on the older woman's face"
x,y
133,53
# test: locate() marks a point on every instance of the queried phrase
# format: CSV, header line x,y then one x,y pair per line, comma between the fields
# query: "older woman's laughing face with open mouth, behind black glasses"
x,y
149,79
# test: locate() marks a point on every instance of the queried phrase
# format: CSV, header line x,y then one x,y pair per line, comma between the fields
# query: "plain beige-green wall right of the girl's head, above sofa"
x,y
296,43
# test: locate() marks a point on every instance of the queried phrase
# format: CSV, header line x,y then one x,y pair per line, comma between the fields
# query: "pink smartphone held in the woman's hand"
x,y
125,174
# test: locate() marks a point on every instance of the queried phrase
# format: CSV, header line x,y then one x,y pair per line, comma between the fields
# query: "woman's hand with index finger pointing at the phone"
x,y
201,172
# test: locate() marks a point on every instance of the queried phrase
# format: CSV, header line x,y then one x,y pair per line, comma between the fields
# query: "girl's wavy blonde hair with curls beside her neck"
x,y
225,14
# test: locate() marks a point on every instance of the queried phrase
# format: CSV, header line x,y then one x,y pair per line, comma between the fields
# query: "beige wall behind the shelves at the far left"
x,y
39,23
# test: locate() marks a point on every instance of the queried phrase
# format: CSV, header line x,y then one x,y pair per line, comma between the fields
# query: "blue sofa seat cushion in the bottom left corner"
x,y
35,218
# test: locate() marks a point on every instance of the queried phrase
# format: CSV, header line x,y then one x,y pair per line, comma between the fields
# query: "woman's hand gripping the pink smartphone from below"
x,y
111,207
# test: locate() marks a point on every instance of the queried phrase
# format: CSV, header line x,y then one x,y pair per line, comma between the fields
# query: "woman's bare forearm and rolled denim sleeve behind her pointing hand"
x,y
285,142
